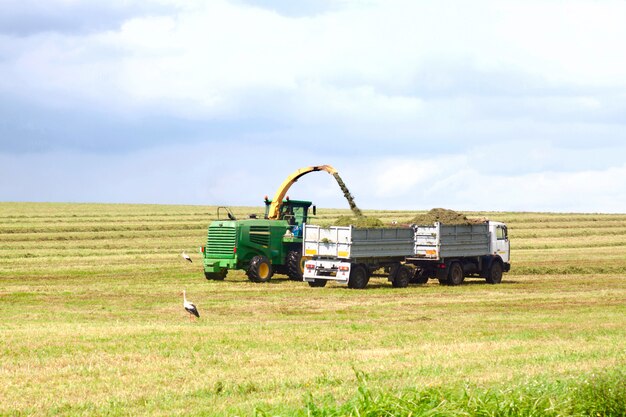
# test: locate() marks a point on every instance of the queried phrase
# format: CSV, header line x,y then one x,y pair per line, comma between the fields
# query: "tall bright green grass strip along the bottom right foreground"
x,y
602,394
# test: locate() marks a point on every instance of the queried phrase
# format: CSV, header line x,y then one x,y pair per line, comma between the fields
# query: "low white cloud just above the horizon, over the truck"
x,y
460,181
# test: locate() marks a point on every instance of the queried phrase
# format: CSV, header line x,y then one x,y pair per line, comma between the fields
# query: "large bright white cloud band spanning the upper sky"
x,y
205,58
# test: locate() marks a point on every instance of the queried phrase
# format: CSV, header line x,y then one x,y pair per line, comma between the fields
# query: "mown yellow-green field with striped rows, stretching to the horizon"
x,y
91,323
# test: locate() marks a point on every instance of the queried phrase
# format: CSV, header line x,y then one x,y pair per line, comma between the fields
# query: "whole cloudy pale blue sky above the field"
x,y
483,105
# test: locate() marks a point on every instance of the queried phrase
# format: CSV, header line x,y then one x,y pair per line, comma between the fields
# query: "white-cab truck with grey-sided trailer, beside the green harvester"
x,y
412,254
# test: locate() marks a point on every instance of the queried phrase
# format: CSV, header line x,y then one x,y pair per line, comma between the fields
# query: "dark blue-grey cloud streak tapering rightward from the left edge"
x,y
26,127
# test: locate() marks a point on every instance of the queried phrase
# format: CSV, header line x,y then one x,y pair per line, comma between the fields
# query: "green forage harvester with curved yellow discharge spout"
x,y
261,246
